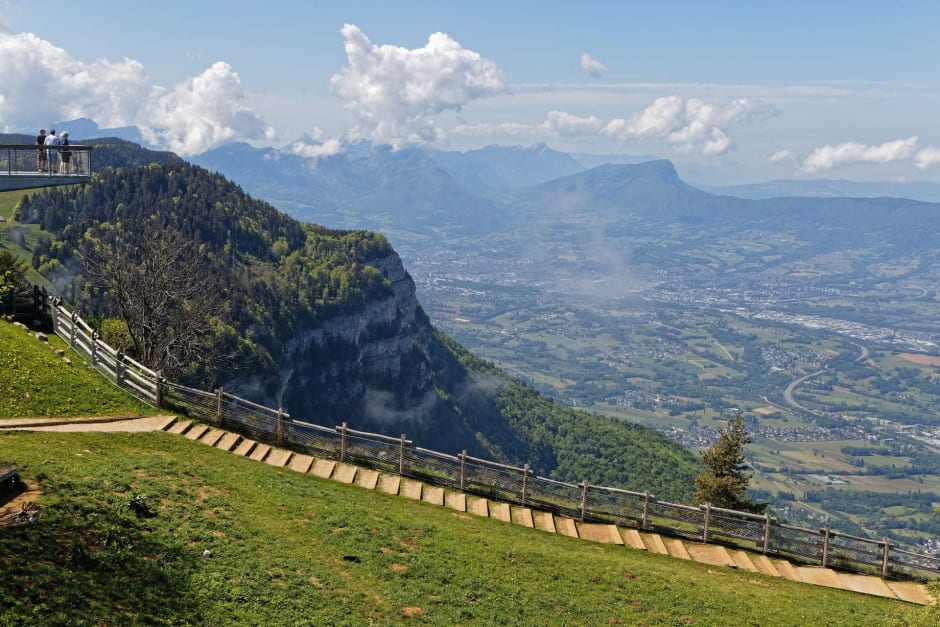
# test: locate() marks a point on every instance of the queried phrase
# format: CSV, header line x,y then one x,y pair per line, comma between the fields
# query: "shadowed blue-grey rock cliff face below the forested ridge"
x,y
369,367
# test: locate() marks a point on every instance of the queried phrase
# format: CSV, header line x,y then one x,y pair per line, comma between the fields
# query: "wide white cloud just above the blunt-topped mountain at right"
x,y
690,125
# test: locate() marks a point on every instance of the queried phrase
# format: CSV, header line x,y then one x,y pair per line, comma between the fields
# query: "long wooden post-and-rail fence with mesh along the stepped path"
x,y
518,486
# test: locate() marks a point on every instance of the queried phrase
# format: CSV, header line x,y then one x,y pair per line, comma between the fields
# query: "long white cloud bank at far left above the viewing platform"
x,y
41,83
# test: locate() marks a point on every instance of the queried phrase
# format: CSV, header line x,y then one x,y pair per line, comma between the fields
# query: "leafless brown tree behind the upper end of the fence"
x,y
156,284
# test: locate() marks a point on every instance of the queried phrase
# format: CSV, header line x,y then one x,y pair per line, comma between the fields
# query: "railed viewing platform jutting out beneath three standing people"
x,y
20,163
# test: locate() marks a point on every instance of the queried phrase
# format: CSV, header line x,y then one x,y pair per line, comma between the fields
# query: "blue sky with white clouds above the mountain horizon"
x,y
737,92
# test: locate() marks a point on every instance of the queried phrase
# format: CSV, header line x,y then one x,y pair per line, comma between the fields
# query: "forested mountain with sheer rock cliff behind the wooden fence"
x,y
325,322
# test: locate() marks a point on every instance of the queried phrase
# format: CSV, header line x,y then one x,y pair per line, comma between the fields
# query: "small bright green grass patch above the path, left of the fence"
x,y
35,382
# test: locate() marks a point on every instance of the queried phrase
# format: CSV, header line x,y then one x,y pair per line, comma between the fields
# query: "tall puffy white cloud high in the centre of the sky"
x,y
395,93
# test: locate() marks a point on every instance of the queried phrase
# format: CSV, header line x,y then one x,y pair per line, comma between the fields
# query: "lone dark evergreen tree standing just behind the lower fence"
x,y
724,482
